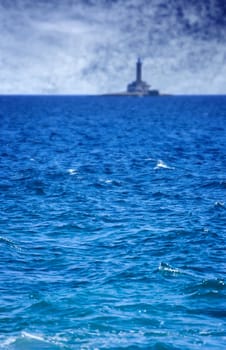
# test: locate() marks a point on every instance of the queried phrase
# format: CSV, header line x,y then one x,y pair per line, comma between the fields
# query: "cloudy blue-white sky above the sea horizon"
x,y
91,46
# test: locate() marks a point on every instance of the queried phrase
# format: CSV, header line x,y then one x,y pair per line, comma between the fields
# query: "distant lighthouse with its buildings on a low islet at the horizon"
x,y
137,87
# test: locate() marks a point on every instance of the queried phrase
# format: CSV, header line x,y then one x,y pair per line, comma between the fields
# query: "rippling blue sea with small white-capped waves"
x,y
113,222
